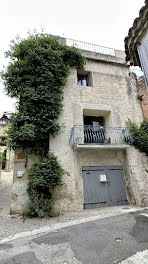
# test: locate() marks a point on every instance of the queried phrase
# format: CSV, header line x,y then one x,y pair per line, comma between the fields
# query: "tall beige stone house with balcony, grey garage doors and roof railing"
x,y
94,145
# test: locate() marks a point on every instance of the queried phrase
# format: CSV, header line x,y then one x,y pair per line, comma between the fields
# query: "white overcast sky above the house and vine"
x,y
102,22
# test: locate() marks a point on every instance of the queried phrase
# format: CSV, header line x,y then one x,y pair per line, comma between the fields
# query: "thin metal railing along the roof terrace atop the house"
x,y
90,47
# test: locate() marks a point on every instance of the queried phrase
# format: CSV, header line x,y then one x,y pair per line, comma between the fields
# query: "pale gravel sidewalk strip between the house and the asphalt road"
x,y
9,225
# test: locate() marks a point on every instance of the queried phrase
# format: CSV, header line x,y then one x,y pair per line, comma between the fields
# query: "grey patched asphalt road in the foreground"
x,y
106,241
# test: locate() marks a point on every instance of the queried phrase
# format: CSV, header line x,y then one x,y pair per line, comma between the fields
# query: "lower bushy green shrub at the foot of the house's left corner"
x,y
44,176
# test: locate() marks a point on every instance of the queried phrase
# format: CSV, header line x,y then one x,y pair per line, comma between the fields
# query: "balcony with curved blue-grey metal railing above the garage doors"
x,y
83,137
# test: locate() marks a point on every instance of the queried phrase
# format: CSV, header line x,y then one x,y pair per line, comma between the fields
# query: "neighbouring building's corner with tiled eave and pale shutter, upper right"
x,y
136,43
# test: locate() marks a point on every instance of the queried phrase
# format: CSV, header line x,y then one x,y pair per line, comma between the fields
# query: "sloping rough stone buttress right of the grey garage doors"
x,y
136,177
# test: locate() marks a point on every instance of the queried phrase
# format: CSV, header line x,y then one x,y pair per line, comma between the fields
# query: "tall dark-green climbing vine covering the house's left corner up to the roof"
x,y
36,76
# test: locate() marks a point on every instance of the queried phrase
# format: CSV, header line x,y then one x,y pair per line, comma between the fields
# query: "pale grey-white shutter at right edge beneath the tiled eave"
x,y
143,55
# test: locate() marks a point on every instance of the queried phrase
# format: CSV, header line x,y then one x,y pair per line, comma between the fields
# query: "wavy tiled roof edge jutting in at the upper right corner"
x,y
138,26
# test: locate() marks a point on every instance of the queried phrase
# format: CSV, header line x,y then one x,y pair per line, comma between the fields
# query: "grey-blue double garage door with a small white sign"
x,y
103,186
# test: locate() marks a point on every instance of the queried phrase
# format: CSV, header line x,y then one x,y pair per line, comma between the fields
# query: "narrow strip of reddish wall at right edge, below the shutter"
x,y
144,93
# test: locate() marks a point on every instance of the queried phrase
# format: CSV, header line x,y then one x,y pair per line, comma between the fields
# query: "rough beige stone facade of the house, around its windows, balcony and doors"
x,y
112,93
